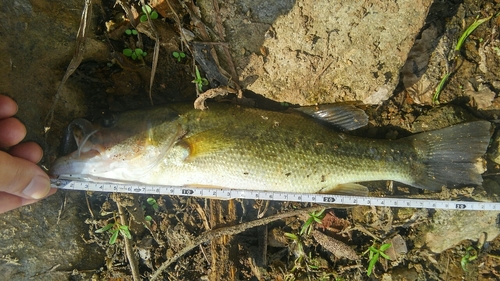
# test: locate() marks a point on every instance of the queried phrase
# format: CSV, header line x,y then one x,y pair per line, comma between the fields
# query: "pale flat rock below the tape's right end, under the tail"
x,y
450,227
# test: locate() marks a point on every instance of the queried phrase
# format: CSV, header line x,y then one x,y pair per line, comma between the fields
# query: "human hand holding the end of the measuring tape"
x,y
22,182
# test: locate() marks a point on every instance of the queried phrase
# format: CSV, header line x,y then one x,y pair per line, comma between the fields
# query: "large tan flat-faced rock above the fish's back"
x,y
335,52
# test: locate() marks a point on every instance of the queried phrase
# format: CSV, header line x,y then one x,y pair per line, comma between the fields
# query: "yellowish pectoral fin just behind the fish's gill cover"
x,y
207,142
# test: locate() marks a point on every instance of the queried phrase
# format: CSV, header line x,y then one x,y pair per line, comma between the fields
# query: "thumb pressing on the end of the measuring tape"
x,y
22,178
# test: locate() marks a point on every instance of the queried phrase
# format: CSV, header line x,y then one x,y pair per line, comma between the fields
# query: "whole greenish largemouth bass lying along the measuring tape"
x,y
244,148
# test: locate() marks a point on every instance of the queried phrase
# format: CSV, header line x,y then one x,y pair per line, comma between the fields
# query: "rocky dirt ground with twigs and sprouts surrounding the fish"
x,y
388,55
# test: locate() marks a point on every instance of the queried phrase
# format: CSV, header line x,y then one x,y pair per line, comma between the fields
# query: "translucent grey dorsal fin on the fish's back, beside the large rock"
x,y
345,117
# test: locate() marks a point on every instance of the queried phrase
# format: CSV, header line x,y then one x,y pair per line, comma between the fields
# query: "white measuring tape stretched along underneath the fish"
x,y
220,193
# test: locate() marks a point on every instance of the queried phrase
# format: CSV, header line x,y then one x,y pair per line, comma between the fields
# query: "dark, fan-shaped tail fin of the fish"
x,y
451,156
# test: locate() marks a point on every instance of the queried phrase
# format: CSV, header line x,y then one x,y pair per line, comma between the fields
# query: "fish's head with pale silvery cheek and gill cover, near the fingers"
x,y
121,147
